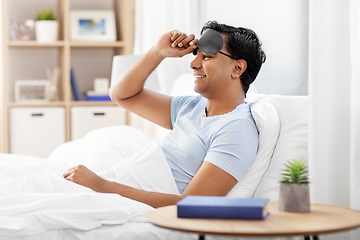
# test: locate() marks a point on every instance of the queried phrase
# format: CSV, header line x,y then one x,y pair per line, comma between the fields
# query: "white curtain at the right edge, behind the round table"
x,y
334,91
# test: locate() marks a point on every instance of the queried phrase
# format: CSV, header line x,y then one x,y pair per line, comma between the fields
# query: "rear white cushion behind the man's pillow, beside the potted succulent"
x,y
293,138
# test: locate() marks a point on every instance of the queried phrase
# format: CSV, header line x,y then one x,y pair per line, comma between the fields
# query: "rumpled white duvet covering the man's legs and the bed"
x,y
34,196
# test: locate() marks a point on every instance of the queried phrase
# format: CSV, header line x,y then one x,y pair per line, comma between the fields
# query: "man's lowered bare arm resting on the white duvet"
x,y
209,180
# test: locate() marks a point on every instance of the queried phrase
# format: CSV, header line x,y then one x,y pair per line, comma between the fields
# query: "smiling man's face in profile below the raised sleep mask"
x,y
212,73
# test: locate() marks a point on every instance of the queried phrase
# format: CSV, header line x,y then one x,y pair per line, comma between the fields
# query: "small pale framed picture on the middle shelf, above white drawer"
x,y
32,90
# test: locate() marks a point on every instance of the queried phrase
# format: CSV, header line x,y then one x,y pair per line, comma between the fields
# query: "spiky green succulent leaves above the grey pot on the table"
x,y
295,172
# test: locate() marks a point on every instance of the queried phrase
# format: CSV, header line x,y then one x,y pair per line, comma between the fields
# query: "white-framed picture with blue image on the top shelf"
x,y
98,25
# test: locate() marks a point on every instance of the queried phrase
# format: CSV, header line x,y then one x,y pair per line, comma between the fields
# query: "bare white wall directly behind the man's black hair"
x,y
282,25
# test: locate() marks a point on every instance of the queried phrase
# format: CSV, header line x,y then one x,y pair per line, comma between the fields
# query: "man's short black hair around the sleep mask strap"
x,y
241,43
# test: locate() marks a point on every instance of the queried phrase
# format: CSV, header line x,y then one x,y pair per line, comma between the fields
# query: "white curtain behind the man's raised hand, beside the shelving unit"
x,y
156,17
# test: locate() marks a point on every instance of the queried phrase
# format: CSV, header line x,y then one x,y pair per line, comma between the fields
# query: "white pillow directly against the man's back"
x,y
268,124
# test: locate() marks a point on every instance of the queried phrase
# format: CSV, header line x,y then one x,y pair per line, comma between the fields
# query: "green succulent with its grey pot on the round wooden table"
x,y
294,188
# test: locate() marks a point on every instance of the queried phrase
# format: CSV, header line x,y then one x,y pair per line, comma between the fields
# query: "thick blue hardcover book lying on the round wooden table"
x,y
222,207
